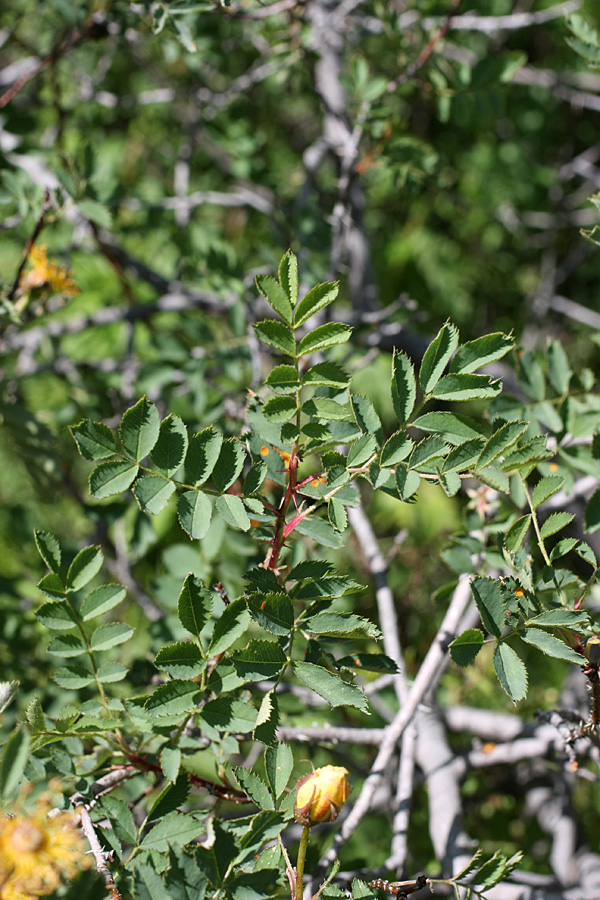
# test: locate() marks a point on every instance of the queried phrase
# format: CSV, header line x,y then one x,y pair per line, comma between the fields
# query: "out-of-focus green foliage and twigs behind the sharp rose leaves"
x,y
169,151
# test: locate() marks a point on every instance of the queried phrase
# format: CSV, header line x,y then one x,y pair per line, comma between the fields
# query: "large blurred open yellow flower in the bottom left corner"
x,y
37,853
